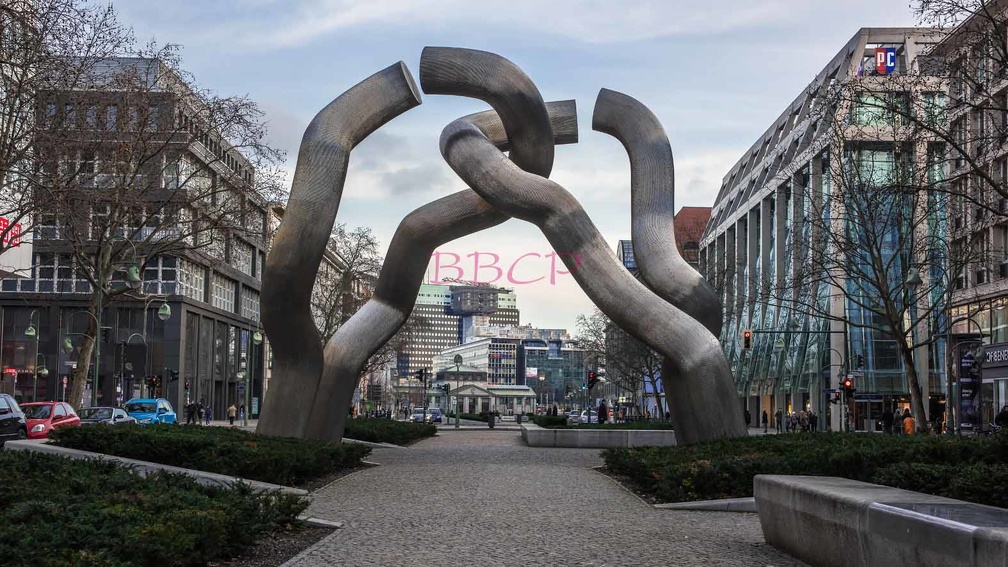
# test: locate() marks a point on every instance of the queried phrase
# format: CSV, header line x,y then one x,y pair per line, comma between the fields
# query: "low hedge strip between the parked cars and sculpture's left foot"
x,y
281,461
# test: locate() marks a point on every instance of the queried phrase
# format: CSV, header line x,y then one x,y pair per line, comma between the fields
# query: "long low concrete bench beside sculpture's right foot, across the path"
x,y
536,436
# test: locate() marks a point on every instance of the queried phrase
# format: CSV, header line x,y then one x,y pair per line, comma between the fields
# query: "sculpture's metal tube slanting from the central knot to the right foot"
x,y
706,408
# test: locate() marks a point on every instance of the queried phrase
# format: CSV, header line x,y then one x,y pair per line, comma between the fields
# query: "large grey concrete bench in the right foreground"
x,y
833,522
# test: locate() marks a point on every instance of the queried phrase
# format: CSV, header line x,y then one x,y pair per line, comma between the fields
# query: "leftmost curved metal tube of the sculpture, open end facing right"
x,y
298,249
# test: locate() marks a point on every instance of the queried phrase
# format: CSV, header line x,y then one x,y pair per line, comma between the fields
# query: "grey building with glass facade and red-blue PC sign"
x,y
764,218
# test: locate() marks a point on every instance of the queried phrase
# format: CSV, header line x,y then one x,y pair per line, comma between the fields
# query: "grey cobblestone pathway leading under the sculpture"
x,y
483,499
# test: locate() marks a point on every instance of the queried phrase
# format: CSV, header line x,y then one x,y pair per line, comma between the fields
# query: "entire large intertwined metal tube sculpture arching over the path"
x,y
313,387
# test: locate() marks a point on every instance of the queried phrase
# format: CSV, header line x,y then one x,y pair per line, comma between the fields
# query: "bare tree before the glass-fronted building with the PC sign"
x,y
874,237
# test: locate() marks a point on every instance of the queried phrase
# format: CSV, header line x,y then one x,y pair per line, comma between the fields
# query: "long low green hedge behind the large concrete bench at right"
x,y
968,469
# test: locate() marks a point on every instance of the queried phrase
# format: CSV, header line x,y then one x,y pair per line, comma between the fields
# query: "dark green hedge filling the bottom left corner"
x,y
92,513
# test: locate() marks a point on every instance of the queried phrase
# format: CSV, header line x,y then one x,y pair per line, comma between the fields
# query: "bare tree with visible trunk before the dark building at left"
x,y
137,164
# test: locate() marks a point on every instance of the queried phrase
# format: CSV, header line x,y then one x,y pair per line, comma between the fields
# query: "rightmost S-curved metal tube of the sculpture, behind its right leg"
x,y
653,207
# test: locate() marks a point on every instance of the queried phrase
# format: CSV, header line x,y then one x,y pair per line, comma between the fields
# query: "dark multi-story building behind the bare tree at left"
x,y
193,189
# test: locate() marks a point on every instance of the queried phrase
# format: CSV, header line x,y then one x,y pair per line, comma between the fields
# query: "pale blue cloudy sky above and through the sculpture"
x,y
716,74
